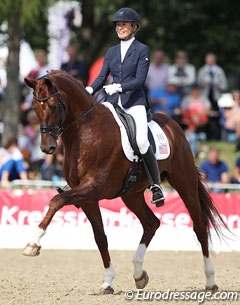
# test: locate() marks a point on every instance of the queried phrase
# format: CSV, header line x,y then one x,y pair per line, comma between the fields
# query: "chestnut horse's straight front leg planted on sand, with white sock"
x,y
93,214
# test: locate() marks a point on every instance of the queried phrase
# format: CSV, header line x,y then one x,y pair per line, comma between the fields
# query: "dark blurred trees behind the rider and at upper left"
x,y
195,26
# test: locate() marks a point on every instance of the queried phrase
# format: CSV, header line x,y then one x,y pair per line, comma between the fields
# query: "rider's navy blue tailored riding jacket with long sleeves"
x,y
131,74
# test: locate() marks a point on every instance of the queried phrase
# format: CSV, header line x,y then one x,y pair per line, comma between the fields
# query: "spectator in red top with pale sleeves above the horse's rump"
x,y
195,109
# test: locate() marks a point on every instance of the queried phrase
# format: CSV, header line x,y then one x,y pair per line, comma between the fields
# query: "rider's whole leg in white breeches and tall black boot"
x,y
140,117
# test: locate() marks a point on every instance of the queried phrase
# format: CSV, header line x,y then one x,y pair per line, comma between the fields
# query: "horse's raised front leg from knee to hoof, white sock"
x,y
34,245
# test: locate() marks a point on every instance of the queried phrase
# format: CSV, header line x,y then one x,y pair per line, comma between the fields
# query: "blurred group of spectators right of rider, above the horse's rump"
x,y
191,96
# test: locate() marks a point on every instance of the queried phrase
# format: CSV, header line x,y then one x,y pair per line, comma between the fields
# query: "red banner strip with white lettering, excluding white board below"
x,y
28,207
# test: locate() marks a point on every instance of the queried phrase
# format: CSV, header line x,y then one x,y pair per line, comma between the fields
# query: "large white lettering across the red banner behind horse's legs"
x,y
122,218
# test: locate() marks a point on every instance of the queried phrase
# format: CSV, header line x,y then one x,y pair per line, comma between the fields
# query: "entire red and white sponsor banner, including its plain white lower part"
x,y
22,210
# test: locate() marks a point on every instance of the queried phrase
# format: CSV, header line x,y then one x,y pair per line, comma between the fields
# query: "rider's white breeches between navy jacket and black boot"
x,y
139,114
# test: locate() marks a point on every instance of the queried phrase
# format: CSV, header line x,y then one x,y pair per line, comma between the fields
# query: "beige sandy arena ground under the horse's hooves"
x,y
73,277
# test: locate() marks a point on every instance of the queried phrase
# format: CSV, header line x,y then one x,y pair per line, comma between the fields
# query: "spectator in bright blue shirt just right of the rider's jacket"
x,y
166,99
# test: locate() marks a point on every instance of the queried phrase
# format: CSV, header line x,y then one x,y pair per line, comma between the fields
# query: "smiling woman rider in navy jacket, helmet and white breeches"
x,y
128,63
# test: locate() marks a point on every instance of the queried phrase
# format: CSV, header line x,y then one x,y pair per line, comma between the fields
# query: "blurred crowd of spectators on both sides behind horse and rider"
x,y
177,88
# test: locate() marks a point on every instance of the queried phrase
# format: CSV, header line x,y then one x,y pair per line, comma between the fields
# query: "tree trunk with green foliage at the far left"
x,y
17,14
